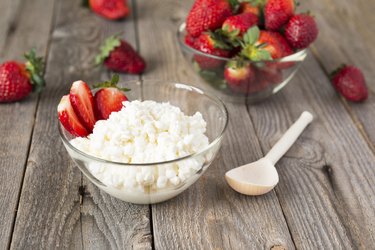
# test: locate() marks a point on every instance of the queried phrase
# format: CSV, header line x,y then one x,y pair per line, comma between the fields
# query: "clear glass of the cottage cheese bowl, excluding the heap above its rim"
x,y
138,183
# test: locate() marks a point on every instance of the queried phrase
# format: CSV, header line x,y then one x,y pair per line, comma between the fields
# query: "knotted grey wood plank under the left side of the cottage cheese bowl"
x,y
59,208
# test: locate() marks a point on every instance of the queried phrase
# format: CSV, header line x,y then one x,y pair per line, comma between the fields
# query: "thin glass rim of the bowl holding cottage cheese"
x,y
177,84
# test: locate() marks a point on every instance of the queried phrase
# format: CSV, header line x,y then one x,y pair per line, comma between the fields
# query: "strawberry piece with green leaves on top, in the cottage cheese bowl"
x,y
108,99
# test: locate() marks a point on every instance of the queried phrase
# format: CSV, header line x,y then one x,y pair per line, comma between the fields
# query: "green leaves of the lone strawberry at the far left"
x,y
35,67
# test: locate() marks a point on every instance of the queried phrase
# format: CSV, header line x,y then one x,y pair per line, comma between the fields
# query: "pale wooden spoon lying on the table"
x,y
260,177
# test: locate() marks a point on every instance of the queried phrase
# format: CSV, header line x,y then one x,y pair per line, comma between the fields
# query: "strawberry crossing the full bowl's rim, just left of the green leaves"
x,y
207,43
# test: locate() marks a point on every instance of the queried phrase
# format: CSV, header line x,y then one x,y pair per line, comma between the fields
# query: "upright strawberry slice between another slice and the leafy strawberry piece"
x,y
83,104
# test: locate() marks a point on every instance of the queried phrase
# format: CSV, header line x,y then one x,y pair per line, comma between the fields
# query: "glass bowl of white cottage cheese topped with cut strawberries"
x,y
143,146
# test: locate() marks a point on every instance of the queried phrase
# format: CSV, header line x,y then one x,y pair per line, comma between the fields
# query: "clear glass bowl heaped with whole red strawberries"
x,y
246,49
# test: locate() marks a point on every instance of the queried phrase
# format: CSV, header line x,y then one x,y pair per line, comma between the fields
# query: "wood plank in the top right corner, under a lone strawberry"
x,y
347,35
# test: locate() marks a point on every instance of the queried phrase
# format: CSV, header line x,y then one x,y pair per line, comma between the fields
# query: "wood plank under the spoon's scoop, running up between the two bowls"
x,y
209,215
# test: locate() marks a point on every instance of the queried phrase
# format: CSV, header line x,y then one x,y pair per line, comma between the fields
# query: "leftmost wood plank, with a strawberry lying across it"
x,y
18,33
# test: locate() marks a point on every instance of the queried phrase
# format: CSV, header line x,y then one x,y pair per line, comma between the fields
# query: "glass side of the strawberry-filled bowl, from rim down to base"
x,y
271,76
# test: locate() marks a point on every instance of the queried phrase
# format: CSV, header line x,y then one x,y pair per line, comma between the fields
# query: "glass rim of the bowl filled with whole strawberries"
x,y
290,58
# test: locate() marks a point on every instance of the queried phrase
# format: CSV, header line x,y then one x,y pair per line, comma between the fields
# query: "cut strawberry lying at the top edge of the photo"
x,y
110,9
